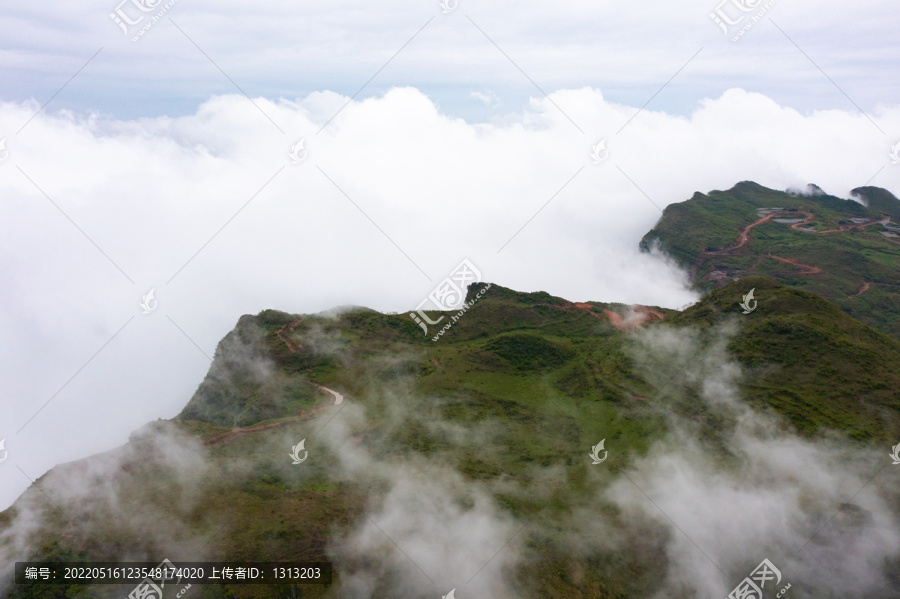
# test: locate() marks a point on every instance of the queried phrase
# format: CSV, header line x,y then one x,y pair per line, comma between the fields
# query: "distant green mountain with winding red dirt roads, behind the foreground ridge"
x,y
853,263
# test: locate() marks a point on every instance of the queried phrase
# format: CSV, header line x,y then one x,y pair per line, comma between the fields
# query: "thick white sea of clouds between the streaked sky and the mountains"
x,y
152,193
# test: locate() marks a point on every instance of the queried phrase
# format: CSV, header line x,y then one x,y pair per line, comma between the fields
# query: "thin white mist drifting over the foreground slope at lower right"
x,y
810,506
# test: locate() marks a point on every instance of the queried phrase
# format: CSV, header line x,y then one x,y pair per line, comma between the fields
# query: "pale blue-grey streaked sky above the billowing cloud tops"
x,y
290,49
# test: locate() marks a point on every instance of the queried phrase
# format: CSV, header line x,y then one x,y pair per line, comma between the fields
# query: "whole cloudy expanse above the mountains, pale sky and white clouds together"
x,y
163,163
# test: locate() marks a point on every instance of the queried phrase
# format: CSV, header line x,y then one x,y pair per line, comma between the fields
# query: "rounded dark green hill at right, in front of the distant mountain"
x,y
809,361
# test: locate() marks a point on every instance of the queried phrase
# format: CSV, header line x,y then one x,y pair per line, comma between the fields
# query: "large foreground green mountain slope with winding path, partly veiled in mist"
x,y
512,398
